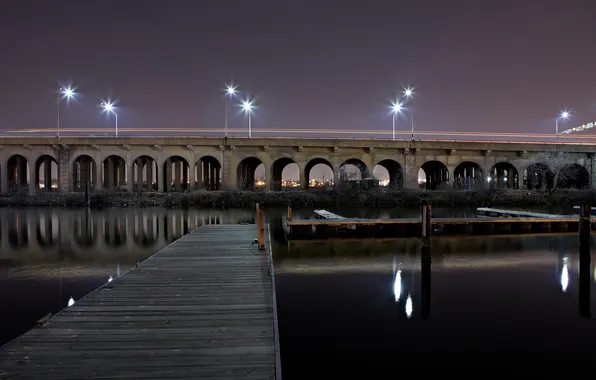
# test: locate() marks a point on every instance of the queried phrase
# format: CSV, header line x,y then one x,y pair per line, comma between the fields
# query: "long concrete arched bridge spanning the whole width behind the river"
x,y
184,164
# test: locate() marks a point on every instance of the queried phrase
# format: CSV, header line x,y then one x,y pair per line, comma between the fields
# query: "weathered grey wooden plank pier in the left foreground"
x,y
203,307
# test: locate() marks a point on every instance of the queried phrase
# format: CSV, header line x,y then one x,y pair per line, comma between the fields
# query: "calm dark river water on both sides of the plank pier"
x,y
344,306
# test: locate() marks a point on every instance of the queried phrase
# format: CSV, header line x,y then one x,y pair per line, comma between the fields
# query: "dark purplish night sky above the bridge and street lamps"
x,y
509,65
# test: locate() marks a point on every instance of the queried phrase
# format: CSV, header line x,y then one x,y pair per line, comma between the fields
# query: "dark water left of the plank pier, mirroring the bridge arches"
x,y
50,258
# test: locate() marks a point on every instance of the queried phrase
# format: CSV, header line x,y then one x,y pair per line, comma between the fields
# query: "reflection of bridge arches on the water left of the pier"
x,y
43,233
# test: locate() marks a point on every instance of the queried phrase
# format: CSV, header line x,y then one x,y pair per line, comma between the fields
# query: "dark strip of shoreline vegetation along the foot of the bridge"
x,y
371,198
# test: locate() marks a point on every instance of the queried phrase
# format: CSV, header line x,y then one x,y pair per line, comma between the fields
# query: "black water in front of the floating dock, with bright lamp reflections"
x,y
489,300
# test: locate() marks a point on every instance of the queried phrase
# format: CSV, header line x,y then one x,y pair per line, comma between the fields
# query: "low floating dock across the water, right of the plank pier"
x,y
501,222
